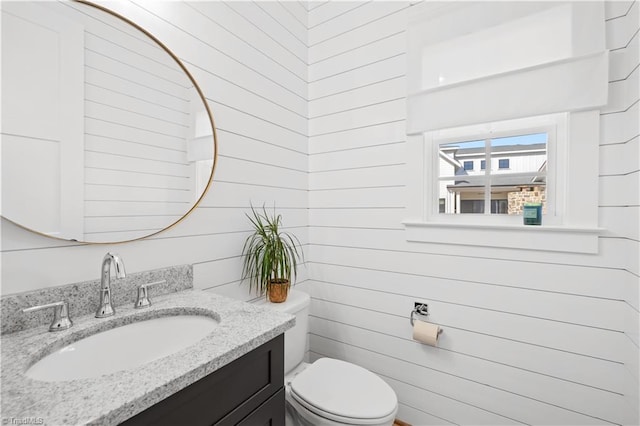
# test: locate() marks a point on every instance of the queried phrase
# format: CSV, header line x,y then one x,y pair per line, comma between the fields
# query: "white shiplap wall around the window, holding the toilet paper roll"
x,y
530,337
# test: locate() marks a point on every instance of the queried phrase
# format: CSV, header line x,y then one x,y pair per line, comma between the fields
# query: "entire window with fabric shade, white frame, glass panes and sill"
x,y
452,99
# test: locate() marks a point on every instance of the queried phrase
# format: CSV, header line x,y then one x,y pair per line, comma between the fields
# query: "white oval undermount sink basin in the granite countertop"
x,y
122,348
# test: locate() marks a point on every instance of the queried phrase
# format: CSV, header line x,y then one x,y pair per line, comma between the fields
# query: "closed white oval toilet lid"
x,y
343,391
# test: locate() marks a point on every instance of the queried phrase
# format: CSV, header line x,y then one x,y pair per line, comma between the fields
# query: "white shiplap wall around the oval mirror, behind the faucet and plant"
x,y
250,60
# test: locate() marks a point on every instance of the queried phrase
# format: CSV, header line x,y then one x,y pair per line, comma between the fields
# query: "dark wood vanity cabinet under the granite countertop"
x,y
249,391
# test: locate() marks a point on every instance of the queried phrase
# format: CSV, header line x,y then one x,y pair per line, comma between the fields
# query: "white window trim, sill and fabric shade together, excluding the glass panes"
x,y
571,81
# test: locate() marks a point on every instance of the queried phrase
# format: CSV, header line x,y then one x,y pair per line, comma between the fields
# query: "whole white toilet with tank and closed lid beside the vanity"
x,y
329,391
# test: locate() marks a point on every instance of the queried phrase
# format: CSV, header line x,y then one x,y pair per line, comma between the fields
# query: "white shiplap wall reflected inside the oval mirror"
x,y
137,102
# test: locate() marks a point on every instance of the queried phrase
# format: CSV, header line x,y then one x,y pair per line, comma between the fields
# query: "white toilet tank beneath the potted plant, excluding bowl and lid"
x,y
295,339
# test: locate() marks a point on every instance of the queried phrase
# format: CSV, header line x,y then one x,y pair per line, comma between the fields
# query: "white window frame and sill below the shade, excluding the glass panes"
x,y
571,227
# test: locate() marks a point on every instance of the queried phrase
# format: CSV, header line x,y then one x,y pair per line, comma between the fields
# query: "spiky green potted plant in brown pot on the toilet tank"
x,y
270,256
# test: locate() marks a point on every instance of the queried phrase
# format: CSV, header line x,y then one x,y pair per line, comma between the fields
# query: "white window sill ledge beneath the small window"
x,y
523,237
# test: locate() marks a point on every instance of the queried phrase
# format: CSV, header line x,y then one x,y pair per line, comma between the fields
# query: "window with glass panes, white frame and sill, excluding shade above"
x,y
480,203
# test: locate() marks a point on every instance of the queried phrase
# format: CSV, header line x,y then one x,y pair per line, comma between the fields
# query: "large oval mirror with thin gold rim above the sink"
x,y
106,137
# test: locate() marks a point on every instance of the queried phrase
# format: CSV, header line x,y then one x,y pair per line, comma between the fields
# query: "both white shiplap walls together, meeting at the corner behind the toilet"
x,y
530,337
